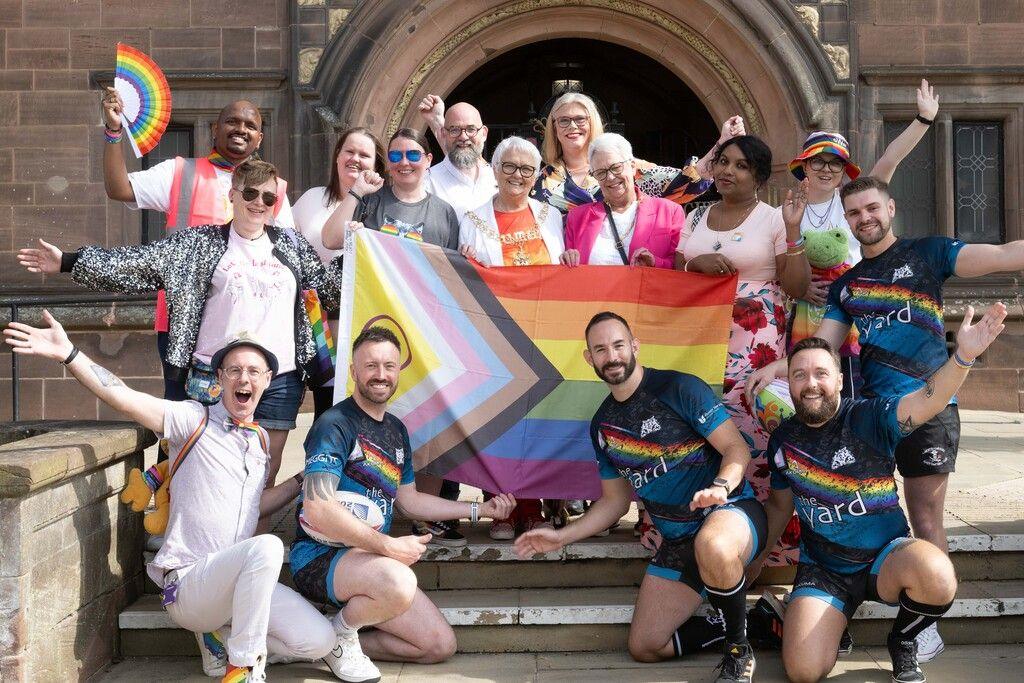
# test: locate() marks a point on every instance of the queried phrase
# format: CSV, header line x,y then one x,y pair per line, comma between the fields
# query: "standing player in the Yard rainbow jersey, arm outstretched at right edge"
x,y
894,296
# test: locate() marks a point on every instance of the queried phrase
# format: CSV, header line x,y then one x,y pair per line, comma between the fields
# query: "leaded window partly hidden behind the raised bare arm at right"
x,y
914,186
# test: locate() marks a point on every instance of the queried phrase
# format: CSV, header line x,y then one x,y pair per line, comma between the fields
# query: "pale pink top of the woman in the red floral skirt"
x,y
752,247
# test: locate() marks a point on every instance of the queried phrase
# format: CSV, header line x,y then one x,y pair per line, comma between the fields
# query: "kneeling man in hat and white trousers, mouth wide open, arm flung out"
x,y
211,568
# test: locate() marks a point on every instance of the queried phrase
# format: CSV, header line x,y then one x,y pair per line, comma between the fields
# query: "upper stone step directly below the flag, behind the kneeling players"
x,y
620,561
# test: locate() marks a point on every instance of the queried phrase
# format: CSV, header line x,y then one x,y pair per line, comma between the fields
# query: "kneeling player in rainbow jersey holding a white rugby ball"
x,y
359,448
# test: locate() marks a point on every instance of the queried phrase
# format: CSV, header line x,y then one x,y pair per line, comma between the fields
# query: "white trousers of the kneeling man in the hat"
x,y
239,585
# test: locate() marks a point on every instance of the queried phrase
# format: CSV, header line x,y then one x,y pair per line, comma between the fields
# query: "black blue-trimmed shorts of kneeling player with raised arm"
x,y
845,592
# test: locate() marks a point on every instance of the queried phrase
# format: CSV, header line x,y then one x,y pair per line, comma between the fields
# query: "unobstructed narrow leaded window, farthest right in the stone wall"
x,y
978,182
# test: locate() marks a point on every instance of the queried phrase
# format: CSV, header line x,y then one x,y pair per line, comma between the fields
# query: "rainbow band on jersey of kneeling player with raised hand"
x,y
812,481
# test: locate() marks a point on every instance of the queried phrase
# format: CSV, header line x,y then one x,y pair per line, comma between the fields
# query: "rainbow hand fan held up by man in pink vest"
x,y
147,99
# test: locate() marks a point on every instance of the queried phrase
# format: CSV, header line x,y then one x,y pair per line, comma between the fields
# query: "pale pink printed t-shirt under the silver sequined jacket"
x,y
254,292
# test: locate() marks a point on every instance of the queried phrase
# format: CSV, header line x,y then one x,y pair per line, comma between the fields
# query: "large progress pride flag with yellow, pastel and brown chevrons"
x,y
494,389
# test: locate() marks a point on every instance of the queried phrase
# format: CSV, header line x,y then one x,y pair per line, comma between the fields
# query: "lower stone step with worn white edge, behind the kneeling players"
x,y
598,619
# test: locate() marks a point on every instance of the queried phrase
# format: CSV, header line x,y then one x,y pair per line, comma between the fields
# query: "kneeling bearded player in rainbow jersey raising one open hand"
x,y
834,461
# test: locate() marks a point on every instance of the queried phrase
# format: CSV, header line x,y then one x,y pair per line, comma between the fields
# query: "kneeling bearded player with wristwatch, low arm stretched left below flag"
x,y
667,437
